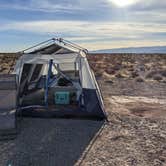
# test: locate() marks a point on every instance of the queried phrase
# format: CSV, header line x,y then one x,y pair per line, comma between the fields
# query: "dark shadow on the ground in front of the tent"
x,y
49,142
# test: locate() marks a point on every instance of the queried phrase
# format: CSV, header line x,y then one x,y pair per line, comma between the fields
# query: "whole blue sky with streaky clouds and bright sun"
x,y
93,24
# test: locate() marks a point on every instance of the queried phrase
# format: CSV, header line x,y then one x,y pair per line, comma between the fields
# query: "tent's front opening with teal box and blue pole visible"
x,y
51,85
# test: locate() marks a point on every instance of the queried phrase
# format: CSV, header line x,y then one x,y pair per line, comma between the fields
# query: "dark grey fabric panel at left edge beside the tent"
x,y
8,100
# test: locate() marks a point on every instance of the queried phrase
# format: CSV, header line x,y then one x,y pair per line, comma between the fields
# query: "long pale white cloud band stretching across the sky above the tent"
x,y
84,28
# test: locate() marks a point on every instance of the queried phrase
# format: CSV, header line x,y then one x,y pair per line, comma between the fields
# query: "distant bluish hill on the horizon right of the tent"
x,y
151,50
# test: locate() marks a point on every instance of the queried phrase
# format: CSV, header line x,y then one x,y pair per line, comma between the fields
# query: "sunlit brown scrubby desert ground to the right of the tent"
x,y
134,91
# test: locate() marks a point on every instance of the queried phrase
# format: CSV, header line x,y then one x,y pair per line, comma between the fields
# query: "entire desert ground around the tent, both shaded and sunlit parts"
x,y
134,91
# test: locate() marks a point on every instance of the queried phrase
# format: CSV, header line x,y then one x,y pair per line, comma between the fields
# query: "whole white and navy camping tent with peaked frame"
x,y
55,76
